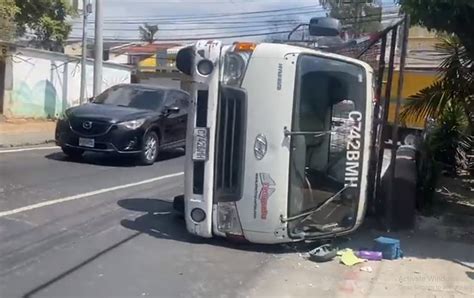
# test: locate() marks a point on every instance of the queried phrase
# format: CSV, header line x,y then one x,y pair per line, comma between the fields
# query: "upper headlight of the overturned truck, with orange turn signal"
x,y
235,63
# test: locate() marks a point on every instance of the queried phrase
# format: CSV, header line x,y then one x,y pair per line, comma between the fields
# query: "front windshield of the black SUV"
x,y
131,96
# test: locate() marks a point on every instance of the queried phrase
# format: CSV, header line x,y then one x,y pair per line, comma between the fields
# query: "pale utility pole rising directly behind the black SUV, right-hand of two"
x,y
98,49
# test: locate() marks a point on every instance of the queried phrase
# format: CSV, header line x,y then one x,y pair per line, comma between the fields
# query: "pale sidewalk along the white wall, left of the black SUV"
x,y
21,132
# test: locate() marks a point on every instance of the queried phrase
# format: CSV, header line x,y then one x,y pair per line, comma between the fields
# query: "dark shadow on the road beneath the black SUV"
x,y
111,160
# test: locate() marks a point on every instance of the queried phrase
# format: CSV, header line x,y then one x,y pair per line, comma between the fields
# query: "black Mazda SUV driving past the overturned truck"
x,y
126,119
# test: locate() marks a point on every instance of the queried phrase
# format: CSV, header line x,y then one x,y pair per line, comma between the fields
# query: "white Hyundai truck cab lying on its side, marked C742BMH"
x,y
271,156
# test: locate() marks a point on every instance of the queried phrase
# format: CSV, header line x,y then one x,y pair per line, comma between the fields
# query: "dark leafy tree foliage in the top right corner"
x,y
454,16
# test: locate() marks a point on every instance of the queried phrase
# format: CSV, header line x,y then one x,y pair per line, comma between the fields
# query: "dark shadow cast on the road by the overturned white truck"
x,y
162,222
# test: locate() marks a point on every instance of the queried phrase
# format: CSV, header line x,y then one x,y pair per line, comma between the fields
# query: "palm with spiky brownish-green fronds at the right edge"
x,y
450,100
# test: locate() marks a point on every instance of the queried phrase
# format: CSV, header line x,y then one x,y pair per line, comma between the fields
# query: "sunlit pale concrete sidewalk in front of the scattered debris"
x,y
433,266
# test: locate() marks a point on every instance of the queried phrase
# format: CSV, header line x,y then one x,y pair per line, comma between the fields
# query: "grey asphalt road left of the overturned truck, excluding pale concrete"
x,y
104,227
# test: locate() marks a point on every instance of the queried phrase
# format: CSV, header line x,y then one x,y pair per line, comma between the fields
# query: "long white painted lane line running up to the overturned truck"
x,y
84,195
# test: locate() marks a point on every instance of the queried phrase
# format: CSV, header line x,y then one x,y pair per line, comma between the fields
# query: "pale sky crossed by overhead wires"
x,y
181,19
